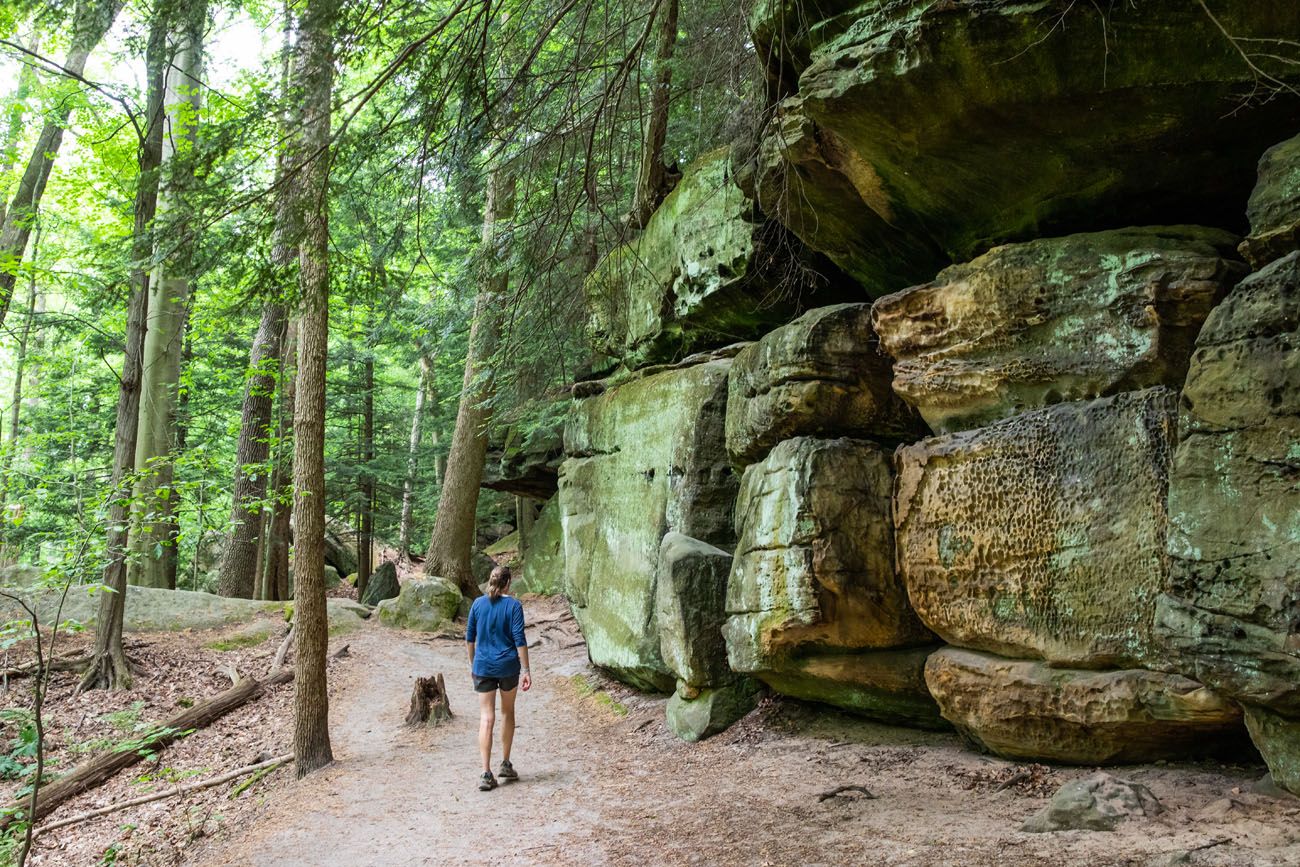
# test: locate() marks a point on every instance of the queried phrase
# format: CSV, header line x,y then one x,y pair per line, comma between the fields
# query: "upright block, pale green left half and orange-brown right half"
x,y
814,566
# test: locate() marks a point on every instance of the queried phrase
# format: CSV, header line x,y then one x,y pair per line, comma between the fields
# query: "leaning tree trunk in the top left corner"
x,y
92,20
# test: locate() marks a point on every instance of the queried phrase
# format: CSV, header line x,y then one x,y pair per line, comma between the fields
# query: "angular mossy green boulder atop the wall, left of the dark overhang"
x,y
707,271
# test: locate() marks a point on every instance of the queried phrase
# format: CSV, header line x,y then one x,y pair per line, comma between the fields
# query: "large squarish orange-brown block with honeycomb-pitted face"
x,y
1043,536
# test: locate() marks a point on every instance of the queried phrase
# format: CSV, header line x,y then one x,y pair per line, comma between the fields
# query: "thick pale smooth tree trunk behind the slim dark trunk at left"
x,y
170,297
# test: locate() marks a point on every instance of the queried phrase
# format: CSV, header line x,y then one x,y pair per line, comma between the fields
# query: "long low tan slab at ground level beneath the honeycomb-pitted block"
x,y
1028,710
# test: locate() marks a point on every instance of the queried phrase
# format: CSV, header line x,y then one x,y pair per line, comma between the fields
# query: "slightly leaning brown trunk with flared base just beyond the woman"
x,y
454,528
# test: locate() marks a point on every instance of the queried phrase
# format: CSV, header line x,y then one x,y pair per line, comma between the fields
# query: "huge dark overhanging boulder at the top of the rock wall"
x,y
967,125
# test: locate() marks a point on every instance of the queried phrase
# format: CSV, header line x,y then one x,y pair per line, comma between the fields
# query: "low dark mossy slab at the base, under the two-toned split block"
x,y
886,686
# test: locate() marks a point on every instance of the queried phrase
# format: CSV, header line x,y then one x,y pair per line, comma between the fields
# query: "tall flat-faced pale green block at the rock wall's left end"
x,y
645,458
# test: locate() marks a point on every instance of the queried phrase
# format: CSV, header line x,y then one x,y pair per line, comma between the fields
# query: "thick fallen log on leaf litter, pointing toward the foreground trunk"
x,y
106,765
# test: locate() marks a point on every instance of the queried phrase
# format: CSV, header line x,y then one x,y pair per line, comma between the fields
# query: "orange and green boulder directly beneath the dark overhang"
x,y
1054,320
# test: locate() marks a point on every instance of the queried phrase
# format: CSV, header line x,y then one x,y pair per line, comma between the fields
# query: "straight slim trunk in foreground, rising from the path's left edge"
x,y
313,79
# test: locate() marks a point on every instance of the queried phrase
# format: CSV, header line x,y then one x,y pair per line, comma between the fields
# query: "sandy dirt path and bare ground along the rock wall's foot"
x,y
605,783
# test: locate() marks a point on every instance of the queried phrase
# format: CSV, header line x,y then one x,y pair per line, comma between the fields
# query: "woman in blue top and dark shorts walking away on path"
x,y
499,662
